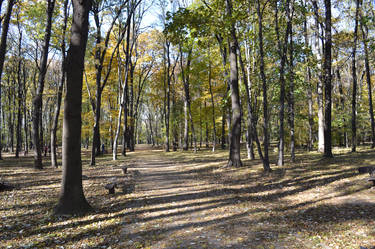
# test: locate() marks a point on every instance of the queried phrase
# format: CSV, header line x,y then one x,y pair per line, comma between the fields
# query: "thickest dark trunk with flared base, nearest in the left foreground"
x,y
72,199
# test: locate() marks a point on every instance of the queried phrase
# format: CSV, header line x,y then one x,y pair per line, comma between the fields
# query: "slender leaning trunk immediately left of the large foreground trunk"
x,y
59,90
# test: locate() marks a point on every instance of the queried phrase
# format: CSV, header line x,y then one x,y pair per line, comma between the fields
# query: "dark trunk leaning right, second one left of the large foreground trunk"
x,y
38,98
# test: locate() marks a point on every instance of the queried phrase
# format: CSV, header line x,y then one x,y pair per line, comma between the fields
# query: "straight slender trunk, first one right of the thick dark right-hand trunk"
x,y
354,86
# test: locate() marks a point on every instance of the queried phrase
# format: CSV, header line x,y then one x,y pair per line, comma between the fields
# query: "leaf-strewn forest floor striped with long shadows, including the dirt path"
x,y
190,200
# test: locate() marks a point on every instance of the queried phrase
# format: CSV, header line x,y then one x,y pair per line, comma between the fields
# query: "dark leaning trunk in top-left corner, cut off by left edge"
x,y
3,45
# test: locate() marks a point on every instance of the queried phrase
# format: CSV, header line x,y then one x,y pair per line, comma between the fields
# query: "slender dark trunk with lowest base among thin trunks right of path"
x,y
266,164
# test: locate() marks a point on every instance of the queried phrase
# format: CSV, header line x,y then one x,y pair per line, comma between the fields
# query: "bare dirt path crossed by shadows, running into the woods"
x,y
173,208
